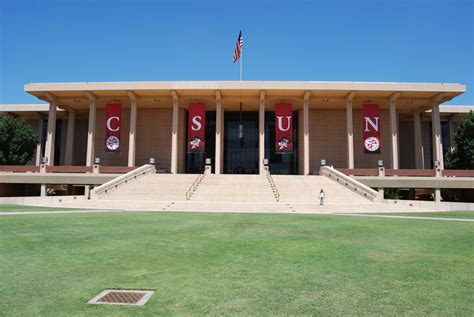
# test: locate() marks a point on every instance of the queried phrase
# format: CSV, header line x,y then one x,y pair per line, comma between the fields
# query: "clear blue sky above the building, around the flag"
x,y
361,40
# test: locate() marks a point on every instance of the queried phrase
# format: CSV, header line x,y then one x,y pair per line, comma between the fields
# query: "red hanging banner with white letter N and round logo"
x,y
371,127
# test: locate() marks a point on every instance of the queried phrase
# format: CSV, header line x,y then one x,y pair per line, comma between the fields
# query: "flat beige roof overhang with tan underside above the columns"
x,y
329,94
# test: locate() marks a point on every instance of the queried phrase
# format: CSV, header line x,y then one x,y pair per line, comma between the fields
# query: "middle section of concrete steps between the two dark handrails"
x,y
234,188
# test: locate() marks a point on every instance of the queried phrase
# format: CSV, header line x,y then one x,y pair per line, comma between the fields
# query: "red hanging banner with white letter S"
x,y
196,127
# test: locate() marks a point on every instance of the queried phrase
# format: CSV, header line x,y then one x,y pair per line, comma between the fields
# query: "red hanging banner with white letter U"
x,y
283,128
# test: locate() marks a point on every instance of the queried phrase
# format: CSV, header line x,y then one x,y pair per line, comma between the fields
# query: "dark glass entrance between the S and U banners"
x,y
241,154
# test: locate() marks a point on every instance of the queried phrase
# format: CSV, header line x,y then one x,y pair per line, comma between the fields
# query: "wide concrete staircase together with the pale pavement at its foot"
x,y
231,193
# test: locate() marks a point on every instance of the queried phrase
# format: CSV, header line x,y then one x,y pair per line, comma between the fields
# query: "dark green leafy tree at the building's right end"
x,y
462,157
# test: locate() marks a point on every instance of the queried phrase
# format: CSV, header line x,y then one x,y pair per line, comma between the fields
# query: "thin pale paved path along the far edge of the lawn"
x,y
59,212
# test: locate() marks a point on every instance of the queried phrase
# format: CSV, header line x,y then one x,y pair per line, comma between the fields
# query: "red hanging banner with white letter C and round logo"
x,y
113,118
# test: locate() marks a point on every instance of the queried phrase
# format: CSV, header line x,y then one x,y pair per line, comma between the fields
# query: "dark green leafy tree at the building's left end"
x,y
17,141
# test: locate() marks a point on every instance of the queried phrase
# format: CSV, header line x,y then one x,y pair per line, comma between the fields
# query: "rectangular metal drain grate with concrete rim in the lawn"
x,y
122,297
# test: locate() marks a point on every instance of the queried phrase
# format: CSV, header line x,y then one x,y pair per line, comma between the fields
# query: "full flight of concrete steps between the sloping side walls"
x,y
233,189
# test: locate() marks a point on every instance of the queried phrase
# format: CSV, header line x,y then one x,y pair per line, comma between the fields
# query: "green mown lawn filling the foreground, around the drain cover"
x,y
236,264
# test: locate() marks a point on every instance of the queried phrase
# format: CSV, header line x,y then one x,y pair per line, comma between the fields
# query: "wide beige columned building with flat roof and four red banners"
x,y
241,127
